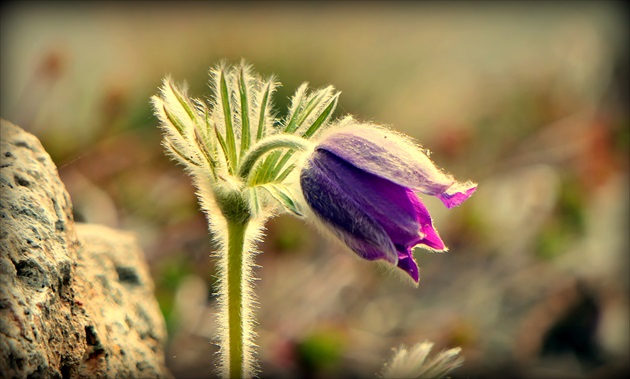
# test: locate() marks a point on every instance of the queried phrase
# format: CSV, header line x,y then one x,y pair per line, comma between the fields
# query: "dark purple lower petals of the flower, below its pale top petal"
x,y
372,215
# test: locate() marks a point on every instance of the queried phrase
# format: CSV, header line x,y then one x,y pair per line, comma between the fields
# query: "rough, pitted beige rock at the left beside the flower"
x,y
76,301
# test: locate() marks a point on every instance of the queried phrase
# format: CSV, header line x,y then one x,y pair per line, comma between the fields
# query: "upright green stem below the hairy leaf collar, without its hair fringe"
x,y
236,240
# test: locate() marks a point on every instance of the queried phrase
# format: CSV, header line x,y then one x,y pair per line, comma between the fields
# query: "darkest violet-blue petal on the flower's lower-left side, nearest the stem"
x,y
344,216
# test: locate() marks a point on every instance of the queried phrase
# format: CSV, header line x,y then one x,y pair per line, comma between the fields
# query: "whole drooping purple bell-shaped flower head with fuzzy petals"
x,y
361,182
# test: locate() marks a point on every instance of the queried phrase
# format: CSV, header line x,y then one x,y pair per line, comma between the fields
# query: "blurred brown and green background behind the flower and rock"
x,y
530,100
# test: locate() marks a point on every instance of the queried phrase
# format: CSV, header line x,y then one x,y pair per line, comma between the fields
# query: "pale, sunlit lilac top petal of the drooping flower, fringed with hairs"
x,y
391,157
